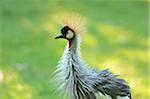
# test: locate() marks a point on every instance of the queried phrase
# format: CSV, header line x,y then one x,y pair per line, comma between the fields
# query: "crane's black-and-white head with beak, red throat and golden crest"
x,y
73,25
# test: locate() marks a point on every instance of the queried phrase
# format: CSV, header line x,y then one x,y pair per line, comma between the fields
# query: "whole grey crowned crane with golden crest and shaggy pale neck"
x,y
75,78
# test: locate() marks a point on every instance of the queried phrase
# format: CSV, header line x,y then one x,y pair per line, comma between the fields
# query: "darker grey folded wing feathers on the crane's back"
x,y
112,85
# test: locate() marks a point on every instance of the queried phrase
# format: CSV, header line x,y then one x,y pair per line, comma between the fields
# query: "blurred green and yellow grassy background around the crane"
x,y
117,38
